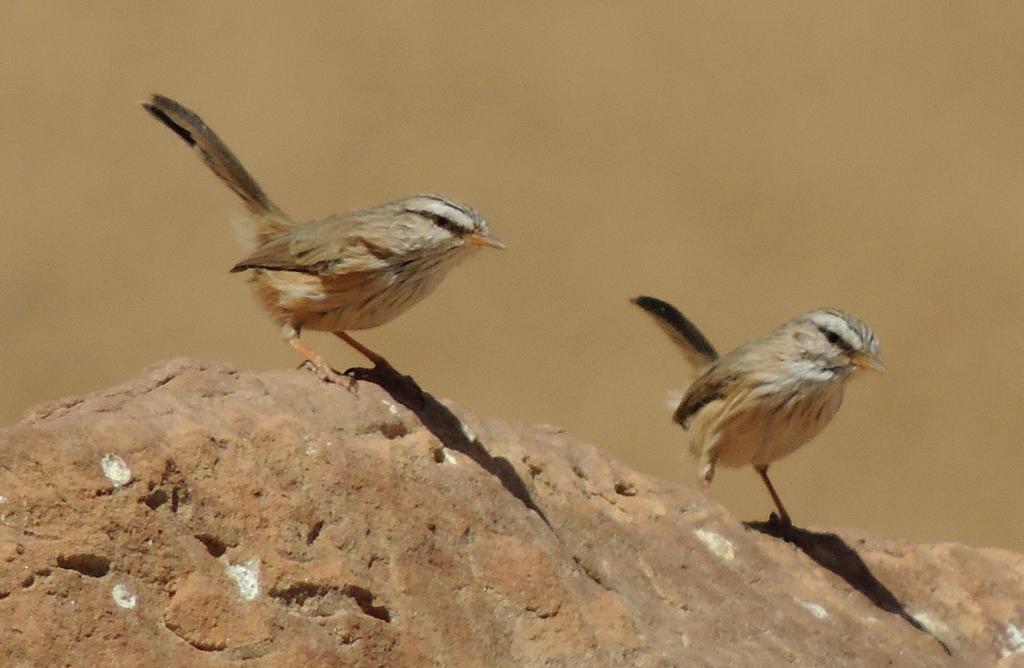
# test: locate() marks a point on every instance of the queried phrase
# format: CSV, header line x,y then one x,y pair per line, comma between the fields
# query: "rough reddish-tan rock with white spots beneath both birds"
x,y
202,517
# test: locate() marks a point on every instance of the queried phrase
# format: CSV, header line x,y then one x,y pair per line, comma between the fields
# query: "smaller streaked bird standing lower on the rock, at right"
x,y
767,398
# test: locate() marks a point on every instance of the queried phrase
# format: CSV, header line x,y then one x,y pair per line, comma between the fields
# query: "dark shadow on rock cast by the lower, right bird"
x,y
832,553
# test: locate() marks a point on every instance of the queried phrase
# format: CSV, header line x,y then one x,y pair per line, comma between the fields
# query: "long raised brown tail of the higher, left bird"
x,y
267,218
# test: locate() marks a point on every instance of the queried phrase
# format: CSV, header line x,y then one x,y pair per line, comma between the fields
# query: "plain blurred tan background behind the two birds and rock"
x,y
745,161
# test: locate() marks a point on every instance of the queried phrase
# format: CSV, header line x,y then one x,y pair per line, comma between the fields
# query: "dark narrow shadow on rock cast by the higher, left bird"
x,y
445,425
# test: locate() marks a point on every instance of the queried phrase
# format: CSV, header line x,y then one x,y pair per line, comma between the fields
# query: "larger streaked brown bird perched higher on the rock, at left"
x,y
345,272
